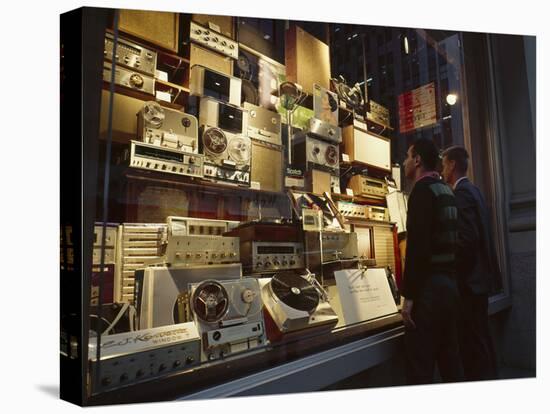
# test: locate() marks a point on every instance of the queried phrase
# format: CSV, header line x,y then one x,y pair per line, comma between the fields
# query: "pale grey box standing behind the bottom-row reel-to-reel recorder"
x,y
162,293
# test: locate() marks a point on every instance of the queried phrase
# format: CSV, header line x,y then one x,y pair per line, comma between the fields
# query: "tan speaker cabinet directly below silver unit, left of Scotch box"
x,y
267,166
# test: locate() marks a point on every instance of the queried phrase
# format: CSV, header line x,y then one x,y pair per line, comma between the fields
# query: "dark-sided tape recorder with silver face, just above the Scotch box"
x,y
309,152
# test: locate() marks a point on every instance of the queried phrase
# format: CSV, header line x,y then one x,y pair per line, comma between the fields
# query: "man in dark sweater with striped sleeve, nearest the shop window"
x,y
430,310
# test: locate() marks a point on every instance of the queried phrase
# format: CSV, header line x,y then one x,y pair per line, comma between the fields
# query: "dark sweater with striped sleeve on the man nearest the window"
x,y
431,234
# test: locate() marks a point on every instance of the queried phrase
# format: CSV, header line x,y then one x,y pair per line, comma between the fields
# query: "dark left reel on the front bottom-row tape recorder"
x,y
210,301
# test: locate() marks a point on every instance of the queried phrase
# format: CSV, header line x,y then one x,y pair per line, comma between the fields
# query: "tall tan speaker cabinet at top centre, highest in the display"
x,y
307,60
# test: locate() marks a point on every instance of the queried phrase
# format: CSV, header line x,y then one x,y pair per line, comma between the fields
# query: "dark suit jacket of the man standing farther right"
x,y
476,262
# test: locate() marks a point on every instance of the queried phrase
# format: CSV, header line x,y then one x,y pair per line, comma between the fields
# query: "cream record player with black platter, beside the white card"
x,y
295,302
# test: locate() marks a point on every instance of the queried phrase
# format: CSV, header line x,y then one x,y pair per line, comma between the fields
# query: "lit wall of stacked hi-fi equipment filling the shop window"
x,y
242,193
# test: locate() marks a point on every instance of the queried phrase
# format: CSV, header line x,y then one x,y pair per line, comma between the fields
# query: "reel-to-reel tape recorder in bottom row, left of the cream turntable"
x,y
228,315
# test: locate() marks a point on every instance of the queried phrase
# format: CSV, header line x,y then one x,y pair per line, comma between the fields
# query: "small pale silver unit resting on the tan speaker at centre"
x,y
263,125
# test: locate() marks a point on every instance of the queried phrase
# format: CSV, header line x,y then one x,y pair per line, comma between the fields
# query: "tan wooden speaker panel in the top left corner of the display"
x,y
158,28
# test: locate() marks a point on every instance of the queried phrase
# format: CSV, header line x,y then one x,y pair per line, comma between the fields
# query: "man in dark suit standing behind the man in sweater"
x,y
476,267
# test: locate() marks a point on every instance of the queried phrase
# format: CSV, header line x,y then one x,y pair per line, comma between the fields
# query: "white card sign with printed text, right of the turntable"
x,y
364,294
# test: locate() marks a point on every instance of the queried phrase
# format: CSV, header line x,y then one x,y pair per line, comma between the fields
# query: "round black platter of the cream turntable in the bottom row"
x,y
295,291
